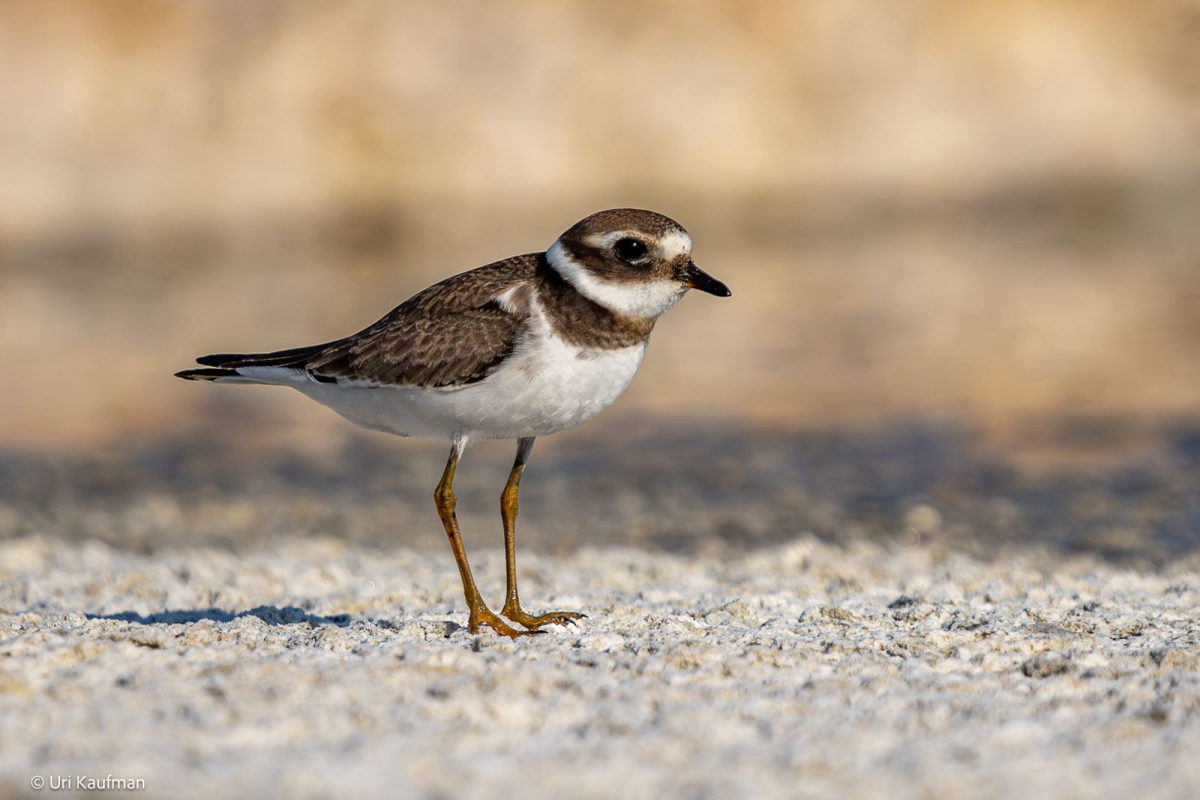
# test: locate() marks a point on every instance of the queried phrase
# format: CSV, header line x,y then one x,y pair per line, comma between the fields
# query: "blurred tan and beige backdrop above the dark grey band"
x,y
981,214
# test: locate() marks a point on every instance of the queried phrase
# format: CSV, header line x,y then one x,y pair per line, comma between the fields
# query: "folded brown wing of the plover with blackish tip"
x,y
454,334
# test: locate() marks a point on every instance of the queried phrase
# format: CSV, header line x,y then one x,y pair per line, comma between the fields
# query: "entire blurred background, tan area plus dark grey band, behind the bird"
x,y
962,236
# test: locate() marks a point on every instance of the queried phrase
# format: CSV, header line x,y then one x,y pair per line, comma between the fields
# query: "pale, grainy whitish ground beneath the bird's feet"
x,y
319,669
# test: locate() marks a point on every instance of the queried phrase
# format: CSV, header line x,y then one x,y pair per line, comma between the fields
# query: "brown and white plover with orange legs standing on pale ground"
x,y
523,348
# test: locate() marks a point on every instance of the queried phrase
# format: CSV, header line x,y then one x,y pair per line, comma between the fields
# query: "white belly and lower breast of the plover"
x,y
544,388
